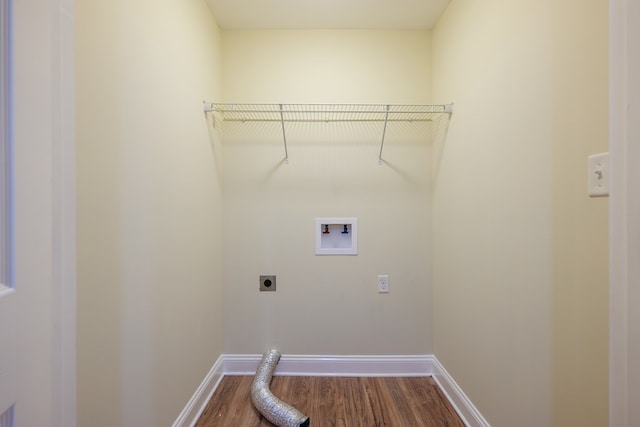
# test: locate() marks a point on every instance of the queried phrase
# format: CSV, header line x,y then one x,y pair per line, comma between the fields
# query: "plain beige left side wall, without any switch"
x,y
149,215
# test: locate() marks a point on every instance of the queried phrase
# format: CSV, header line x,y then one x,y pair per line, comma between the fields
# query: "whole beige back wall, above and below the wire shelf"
x,y
327,304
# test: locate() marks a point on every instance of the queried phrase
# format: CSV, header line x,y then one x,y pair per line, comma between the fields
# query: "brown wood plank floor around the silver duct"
x,y
336,401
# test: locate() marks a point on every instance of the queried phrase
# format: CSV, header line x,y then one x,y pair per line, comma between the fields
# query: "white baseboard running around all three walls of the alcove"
x,y
351,366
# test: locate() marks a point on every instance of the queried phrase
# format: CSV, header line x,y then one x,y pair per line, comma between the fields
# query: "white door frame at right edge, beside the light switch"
x,y
624,221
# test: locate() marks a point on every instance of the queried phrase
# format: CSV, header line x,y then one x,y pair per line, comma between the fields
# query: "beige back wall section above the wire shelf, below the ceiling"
x,y
327,66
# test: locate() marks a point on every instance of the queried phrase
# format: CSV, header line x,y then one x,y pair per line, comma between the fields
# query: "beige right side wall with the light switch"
x,y
522,326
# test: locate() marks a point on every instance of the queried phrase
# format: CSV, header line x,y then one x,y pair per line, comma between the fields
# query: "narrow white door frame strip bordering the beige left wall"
x,y
64,213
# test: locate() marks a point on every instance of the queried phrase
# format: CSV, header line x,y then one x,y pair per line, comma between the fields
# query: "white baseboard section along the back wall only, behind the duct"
x,y
332,366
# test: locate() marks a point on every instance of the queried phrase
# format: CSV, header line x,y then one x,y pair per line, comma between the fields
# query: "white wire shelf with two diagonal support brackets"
x,y
327,113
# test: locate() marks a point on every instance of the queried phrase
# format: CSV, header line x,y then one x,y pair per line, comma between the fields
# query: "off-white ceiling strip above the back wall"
x,y
327,14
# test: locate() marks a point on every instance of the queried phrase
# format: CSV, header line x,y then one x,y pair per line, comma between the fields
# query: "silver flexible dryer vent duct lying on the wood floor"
x,y
272,408
